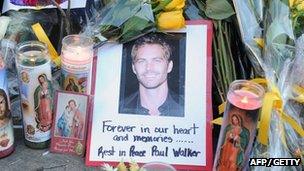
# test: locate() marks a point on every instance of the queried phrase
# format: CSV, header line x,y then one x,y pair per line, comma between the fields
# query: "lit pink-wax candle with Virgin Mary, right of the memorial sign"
x,y
238,130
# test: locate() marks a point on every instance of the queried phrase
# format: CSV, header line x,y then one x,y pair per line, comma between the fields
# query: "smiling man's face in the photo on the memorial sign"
x,y
150,66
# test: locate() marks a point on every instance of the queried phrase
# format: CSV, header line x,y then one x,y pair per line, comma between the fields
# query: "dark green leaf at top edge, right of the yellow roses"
x,y
218,9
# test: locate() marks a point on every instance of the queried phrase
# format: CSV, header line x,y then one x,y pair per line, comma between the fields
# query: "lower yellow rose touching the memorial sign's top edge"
x,y
171,20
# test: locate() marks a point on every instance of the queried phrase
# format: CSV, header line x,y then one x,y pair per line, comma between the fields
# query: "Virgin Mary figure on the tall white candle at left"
x,y
43,103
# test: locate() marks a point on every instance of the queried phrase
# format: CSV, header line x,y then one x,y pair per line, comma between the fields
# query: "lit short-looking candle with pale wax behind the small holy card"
x,y
76,61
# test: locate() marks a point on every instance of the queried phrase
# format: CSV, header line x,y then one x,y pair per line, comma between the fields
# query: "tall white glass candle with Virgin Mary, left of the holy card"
x,y
36,91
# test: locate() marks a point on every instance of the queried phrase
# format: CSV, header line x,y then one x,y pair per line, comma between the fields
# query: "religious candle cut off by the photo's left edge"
x,y
6,123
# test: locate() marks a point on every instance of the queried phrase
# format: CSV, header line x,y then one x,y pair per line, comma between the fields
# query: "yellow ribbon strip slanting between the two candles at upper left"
x,y
41,35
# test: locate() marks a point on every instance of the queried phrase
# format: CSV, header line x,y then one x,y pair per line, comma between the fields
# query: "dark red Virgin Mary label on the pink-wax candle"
x,y
236,138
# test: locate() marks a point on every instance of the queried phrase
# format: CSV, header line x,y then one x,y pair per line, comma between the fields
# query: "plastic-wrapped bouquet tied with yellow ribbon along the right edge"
x,y
281,133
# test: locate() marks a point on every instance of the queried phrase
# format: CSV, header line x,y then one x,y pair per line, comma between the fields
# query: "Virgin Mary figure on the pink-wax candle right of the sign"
x,y
234,145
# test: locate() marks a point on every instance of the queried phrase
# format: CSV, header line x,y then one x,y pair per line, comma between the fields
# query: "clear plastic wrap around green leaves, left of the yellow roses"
x,y
121,21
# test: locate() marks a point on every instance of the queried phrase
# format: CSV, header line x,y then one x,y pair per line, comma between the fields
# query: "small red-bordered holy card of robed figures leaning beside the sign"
x,y
70,122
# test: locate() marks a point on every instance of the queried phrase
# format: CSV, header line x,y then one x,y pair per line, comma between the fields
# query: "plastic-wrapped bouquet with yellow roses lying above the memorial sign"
x,y
124,21
